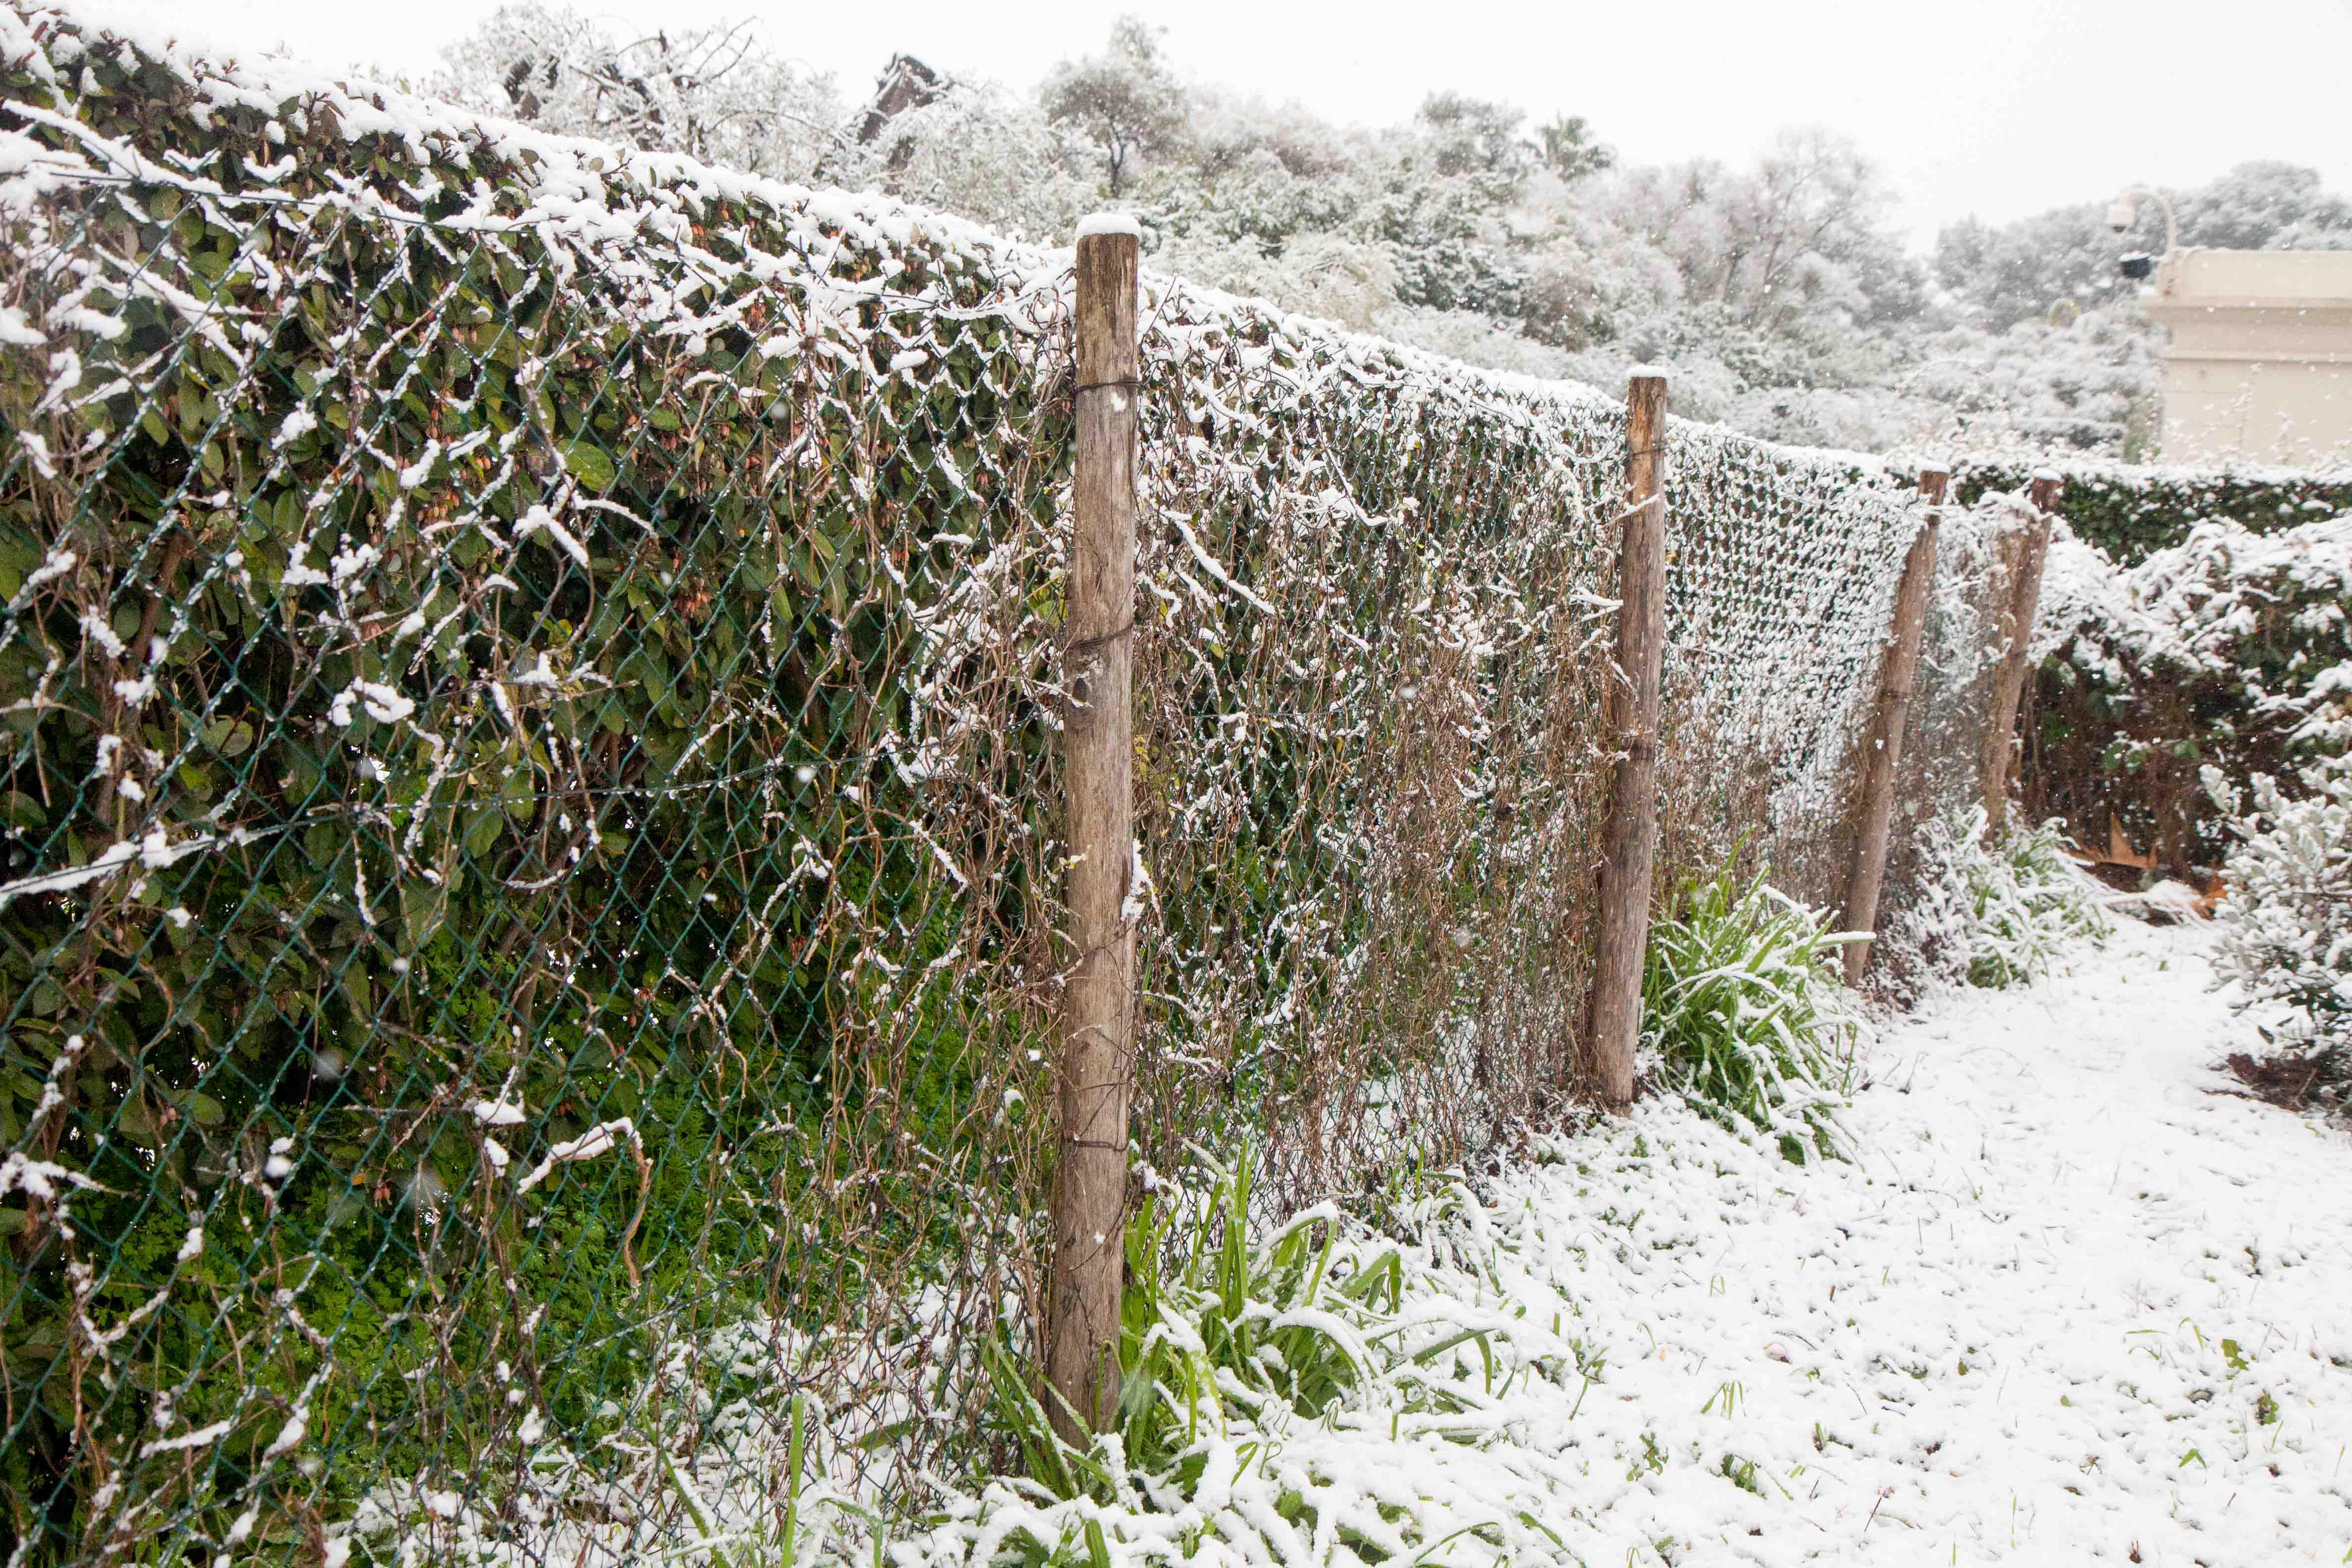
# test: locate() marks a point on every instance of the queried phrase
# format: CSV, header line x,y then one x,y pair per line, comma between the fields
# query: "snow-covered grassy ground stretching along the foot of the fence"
x,y
2073,1304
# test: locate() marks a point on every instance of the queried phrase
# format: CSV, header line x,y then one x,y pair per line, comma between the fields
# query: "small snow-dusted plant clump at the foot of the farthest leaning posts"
x,y
1993,916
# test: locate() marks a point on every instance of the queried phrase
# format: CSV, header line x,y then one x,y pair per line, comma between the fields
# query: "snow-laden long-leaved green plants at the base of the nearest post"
x,y
1316,1395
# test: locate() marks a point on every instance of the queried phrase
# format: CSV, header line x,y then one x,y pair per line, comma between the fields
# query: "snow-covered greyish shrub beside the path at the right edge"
x,y
2287,923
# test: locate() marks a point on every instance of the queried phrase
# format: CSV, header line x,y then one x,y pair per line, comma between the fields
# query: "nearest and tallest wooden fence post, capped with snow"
x,y
1097,1021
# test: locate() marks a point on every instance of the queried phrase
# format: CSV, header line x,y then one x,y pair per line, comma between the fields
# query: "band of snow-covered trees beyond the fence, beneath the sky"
x,y
1779,288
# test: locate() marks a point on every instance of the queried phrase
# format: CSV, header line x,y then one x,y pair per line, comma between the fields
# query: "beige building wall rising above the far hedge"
x,y
2261,359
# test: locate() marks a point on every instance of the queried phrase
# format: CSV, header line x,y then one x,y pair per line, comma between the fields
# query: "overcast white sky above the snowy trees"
x,y
1989,107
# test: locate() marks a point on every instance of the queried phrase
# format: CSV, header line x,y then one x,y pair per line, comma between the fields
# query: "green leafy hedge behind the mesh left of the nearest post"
x,y
403,913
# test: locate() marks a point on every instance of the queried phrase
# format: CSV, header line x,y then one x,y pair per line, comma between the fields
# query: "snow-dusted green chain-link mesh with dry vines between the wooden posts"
x,y
530,906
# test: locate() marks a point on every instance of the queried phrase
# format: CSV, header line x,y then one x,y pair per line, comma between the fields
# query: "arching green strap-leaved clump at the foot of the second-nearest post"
x,y
1746,1014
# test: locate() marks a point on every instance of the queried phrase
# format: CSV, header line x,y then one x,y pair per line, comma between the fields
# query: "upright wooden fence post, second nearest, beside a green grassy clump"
x,y
1631,836
